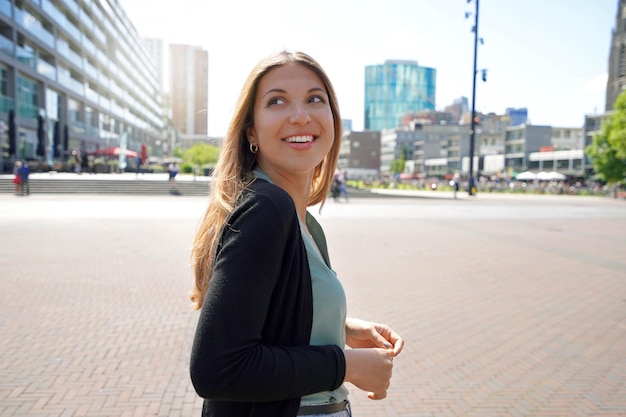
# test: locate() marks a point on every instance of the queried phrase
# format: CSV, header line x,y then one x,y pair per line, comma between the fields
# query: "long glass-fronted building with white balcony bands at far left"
x,y
74,76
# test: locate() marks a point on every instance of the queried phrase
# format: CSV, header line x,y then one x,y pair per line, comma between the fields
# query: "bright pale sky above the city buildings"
x,y
550,56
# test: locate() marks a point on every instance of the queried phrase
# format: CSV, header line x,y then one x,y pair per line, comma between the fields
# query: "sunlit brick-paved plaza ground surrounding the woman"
x,y
510,305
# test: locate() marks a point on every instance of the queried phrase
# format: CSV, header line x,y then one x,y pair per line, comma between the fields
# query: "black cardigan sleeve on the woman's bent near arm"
x,y
229,359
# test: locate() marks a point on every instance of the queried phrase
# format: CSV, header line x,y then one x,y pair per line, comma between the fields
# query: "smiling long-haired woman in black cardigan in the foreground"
x,y
272,330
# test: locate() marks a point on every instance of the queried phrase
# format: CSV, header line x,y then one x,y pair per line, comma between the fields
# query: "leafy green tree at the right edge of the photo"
x,y
608,148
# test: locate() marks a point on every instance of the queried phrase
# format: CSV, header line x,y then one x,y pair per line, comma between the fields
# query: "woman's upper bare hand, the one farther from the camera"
x,y
365,334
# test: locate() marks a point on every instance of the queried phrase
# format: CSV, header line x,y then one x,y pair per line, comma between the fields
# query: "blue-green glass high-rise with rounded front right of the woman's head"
x,y
394,89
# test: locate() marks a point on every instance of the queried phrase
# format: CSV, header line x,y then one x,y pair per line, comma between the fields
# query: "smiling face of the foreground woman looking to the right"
x,y
293,121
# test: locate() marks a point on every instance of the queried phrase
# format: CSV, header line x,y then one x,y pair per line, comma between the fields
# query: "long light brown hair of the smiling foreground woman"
x,y
233,171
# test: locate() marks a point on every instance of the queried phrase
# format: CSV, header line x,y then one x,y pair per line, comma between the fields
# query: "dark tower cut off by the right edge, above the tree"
x,y
617,57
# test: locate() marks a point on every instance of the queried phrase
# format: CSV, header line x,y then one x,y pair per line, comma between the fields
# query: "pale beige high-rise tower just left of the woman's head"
x,y
189,81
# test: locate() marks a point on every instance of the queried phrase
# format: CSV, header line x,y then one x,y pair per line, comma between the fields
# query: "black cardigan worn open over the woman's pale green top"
x,y
251,353
